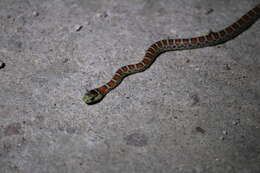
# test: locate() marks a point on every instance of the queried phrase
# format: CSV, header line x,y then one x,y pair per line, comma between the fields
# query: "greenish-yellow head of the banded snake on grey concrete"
x,y
92,97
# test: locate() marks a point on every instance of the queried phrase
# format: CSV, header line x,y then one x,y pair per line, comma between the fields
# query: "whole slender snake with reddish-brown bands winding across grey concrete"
x,y
211,39
